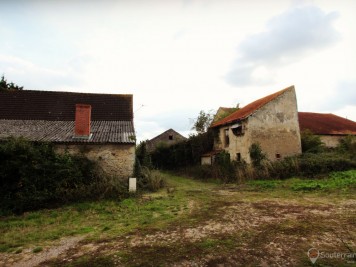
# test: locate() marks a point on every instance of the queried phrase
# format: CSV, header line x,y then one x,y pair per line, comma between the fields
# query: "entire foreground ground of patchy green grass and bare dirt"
x,y
194,223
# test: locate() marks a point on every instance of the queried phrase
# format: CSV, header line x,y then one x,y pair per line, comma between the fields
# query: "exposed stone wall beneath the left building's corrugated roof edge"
x,y
115,160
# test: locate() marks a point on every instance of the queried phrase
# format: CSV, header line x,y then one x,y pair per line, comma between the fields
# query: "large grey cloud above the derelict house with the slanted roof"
x,y
288,37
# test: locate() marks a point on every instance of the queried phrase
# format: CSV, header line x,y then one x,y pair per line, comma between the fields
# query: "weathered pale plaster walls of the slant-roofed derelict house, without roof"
x,y
275,126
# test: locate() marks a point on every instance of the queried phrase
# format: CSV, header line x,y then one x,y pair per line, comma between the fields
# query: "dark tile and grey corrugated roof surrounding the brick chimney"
x,y
49,116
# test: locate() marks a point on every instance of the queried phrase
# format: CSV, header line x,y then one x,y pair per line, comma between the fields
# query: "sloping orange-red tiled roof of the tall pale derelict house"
x,y
248,110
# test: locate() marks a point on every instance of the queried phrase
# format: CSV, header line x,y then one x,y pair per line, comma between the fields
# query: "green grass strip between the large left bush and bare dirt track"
x,y
101,219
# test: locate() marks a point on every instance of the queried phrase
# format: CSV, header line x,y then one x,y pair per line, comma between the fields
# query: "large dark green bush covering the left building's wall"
x,y
34,176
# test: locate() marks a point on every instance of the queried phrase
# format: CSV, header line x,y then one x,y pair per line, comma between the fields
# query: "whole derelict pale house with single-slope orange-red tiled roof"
x,y
271,121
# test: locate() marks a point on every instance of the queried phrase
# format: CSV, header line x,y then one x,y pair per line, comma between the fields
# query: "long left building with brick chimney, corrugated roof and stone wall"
x,y
100,126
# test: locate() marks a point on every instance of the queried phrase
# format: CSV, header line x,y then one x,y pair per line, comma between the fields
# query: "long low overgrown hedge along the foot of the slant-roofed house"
x,y
308,165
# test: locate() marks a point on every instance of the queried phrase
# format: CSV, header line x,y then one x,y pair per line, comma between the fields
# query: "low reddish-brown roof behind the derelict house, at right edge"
x,y
326,124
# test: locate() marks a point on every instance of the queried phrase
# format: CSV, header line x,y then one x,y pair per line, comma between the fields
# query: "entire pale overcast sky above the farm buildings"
x,y
180,57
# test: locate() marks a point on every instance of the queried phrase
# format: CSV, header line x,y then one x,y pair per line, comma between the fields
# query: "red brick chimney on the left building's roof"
x,y
82,120
